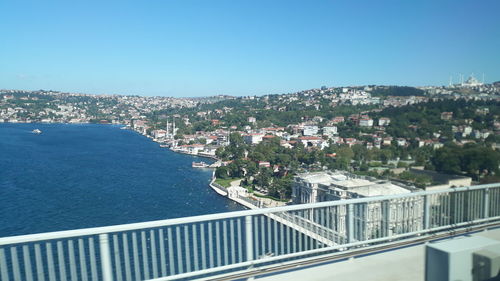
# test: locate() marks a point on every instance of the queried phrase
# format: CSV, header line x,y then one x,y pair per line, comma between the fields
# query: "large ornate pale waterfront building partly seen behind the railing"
x,y
403,214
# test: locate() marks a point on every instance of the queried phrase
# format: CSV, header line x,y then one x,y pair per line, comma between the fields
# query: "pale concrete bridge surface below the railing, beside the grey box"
x,y
403,264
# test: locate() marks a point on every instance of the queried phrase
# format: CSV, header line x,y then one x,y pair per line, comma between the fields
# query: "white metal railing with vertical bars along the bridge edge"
x,y
209,245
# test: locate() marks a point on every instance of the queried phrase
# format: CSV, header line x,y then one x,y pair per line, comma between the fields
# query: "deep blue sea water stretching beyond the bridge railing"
x,y
78,176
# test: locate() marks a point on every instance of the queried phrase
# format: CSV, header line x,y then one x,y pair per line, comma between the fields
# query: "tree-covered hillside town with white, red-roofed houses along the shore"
x,y
418,136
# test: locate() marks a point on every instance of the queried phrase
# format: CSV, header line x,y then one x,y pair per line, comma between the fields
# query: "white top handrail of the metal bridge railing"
x,y
226,215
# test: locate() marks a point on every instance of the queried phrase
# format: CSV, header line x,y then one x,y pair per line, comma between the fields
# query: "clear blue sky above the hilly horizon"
x,y
237,47
